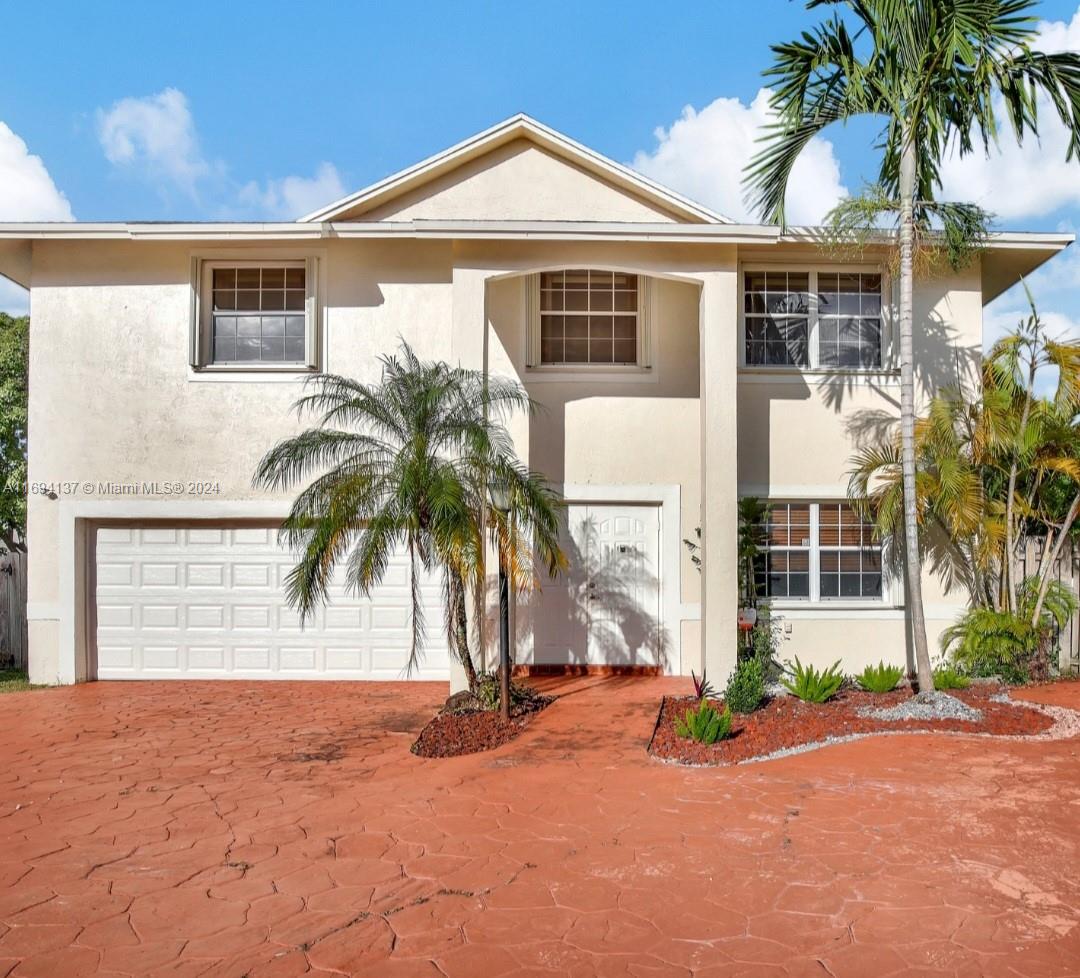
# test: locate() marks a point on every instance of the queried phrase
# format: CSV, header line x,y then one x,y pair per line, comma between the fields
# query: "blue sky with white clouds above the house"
x,y
251,112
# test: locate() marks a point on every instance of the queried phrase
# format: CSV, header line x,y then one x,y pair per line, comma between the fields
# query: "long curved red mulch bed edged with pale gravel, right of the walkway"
x,y
788,723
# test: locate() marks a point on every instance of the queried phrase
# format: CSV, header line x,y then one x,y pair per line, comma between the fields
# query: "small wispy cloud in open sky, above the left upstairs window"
x,y
156,134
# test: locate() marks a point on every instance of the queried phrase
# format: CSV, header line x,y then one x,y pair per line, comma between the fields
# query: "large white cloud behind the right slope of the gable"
x,y
703,155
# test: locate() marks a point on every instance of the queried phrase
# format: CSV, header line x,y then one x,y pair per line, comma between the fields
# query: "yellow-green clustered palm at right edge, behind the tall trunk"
x,y
992,470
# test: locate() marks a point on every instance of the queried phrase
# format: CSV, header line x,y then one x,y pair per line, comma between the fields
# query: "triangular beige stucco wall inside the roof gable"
x,y
518,182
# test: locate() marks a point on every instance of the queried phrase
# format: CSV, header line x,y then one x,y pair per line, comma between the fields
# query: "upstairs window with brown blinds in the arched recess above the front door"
x,y
587,317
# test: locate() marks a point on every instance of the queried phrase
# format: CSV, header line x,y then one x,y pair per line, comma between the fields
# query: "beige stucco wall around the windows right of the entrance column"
x,y
796,440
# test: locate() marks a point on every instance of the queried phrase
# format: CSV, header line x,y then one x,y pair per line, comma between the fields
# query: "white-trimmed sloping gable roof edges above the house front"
x,y
517,128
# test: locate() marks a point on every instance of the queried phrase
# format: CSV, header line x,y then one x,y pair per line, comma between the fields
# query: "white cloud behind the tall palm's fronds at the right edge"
x,y
1029,181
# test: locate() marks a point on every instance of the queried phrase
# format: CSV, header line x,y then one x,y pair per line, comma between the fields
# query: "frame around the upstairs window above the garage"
x,y
202,319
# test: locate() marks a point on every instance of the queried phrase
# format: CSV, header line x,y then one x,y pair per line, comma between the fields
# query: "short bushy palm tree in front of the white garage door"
x,y
407,464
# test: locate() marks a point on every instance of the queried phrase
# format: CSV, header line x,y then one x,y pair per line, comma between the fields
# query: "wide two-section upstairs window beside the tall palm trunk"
x,y
814,319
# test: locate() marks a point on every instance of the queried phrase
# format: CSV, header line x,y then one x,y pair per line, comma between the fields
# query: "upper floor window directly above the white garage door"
x,y
256,316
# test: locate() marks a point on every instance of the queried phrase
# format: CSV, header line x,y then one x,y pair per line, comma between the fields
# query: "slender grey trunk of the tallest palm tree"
x,y
912,564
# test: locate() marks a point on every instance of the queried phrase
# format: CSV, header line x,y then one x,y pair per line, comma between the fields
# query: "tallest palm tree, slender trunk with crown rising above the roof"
x,y
930,71
